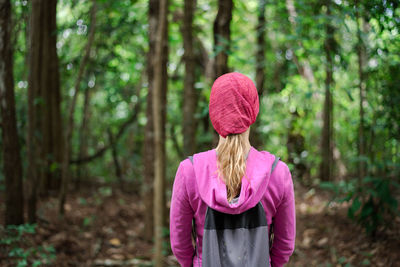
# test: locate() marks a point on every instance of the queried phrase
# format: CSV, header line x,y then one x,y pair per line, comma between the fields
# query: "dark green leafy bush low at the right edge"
x,y
372,199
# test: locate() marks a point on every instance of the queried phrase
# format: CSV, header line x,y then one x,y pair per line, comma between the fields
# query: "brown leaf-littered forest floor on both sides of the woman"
x,y
104,227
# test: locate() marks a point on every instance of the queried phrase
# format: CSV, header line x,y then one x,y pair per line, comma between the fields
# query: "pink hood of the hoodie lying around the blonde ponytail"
x,y
213,189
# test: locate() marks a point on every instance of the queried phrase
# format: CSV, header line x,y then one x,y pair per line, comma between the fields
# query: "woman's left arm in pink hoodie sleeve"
x,y
181,216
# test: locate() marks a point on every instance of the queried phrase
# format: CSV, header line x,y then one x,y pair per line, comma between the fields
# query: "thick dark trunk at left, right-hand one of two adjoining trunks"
x,y
51,96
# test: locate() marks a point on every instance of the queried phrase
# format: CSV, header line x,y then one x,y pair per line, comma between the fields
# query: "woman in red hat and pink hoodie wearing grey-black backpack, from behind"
x,y
222,191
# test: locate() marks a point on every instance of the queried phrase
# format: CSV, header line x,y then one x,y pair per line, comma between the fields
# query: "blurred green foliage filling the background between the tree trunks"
x,y
116,68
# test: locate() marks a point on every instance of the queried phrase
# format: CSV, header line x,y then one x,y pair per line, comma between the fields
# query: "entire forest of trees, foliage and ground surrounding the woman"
x,y
101,100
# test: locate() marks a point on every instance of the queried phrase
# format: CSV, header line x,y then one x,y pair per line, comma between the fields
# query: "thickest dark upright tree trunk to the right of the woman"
x,y
327,131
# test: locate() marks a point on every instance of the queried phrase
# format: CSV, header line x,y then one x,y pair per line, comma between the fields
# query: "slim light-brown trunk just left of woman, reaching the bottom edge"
x,y
159,98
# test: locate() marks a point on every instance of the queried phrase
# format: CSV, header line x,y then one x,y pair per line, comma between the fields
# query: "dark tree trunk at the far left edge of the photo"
x,y
12,165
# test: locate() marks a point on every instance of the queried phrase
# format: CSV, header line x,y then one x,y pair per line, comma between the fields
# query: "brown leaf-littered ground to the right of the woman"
x,y
326,237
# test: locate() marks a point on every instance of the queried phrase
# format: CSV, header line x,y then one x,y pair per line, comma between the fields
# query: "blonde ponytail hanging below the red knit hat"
x,y
231,162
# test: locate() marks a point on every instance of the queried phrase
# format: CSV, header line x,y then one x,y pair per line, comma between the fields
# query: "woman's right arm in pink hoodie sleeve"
x,y
284,225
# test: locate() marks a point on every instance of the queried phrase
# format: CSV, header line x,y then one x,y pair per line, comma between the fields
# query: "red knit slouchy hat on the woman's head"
x,y
233,103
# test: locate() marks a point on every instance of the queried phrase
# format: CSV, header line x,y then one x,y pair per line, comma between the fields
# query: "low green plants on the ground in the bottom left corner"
x,y
19,250
